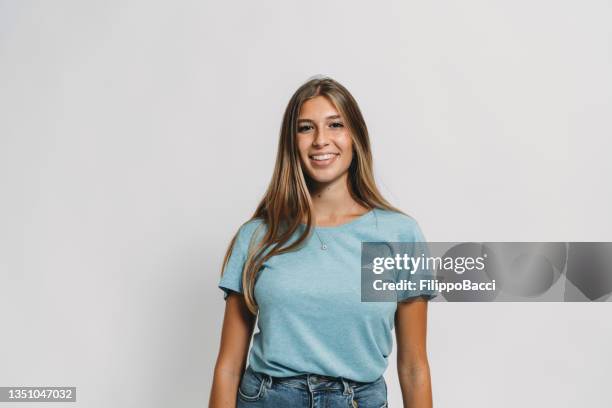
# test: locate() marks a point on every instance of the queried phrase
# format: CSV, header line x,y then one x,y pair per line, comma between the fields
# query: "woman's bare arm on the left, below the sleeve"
x,y
238,325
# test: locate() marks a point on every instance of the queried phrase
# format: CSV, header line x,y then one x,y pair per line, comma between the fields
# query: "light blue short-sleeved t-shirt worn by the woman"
x,y
311,317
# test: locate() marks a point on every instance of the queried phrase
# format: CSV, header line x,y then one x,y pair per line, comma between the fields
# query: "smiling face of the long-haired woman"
x,y
324,141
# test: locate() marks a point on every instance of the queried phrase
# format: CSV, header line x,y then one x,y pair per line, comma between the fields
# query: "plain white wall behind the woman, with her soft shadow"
x,y
137,136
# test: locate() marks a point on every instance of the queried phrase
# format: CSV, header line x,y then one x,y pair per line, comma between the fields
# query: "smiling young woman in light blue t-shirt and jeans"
x,y
296,265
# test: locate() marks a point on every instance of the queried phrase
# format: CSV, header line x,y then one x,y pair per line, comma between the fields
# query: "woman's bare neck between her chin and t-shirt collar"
x,y
333,203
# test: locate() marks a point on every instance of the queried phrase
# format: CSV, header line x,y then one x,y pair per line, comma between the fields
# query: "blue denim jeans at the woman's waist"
x,y
309,391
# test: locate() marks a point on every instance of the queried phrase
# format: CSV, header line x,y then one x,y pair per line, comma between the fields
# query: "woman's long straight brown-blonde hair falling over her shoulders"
x,y
287,201
